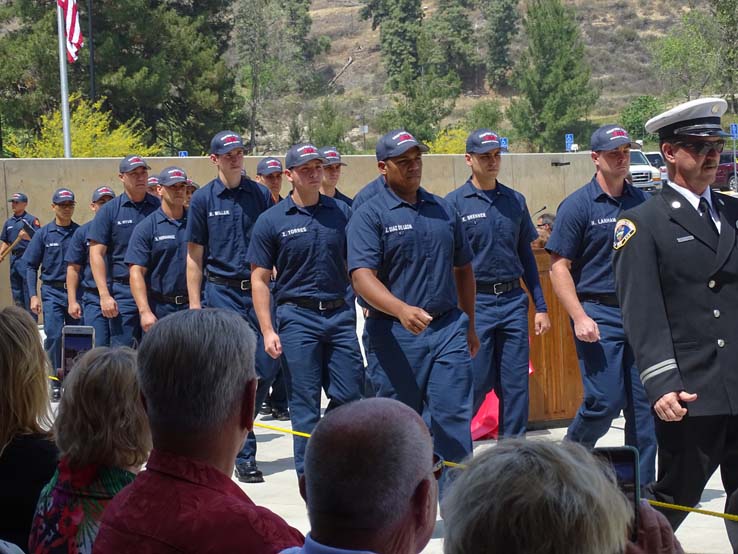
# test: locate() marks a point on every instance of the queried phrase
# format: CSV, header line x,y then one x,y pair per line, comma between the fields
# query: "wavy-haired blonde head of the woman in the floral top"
x,y
101,418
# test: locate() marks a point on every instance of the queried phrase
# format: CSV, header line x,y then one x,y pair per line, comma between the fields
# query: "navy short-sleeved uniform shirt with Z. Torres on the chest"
x,y
307,246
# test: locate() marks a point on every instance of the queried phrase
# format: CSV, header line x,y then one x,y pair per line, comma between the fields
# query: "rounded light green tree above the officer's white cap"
x,y
687,59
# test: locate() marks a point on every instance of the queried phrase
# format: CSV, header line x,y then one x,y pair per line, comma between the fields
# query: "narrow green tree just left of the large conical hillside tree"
x,y
501,27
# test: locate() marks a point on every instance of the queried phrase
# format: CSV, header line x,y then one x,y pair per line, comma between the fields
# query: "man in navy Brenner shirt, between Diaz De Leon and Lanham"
x,y
499,228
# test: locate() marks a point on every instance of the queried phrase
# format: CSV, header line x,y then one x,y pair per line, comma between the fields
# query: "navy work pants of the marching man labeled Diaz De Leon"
x,y
431,373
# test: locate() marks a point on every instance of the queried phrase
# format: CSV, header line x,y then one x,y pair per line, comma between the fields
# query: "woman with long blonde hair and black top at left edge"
x,y
27,453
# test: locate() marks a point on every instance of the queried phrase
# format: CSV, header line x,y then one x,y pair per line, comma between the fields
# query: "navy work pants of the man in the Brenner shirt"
x,y
502,360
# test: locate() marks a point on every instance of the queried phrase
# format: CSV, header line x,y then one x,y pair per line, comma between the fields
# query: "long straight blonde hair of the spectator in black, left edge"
x,y
24,393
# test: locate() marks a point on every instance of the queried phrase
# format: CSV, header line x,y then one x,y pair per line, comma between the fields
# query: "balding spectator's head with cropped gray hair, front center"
x,y
369,482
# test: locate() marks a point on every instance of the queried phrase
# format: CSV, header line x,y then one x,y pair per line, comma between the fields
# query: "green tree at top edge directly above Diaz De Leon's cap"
x,y
399,23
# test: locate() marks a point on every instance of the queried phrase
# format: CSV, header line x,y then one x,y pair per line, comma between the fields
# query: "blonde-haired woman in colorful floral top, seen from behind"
x,y
103,438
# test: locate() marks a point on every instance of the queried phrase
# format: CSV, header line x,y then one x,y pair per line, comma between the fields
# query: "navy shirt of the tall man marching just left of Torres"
x,y
221,219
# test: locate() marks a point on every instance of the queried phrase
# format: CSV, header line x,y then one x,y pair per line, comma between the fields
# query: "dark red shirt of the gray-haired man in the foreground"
x,y
181,505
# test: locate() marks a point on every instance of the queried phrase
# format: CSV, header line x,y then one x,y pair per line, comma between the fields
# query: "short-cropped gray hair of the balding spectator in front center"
x,y
363,463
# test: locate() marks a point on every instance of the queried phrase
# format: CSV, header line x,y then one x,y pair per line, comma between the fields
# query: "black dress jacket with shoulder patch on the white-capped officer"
x,y
677,283
